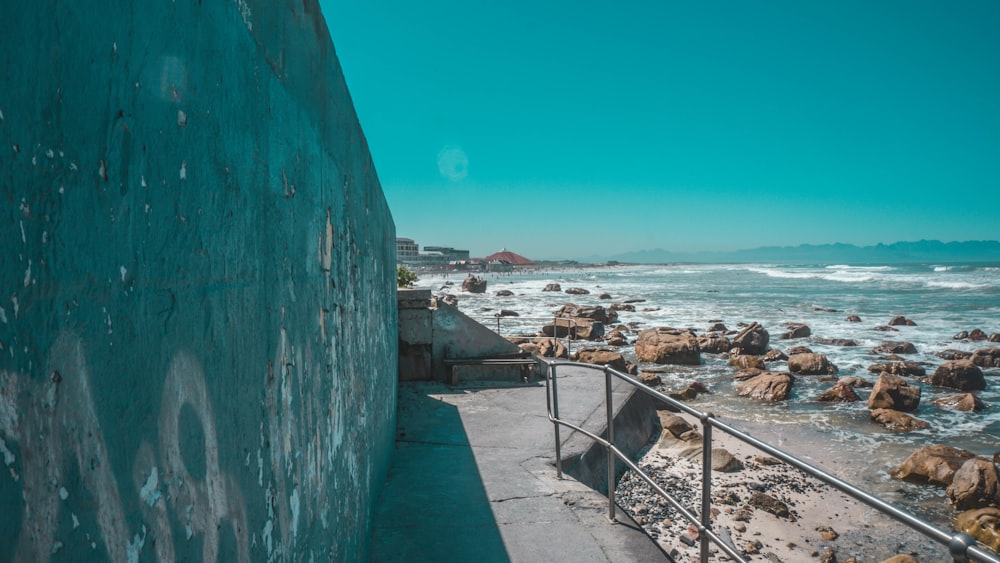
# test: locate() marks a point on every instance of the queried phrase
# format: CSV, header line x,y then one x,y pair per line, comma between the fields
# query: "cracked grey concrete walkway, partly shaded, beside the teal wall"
x,y
473,479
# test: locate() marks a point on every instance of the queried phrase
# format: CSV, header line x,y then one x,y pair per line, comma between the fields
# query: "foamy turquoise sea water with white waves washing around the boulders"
x,y
941,299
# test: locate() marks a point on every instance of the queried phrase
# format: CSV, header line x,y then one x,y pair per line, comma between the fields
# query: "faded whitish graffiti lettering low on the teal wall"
x,y
56,421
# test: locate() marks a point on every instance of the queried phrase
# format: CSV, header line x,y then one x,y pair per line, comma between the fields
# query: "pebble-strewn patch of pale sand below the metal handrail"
x,y
821,523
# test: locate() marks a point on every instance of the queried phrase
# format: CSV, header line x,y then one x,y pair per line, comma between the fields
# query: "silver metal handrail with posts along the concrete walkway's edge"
x,y
962,547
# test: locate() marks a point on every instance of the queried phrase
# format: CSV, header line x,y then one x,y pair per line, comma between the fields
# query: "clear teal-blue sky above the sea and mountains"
x,y
570,129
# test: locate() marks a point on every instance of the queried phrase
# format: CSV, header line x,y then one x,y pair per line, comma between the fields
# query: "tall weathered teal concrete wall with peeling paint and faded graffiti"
x,y
197,286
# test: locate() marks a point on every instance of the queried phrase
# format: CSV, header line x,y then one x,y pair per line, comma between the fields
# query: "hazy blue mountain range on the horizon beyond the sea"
x,y
923,251
